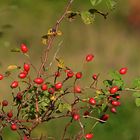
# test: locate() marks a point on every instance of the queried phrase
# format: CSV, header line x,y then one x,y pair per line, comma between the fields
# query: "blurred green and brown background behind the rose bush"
x,y
114,42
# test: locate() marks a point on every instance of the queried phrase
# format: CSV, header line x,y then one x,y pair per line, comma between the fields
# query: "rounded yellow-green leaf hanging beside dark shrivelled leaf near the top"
x,y
87,17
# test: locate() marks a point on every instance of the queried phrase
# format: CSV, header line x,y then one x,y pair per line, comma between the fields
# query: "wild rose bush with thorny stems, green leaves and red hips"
x,y
42,97
